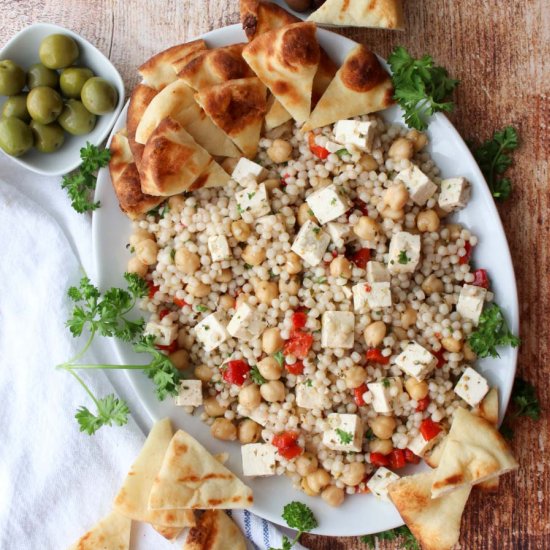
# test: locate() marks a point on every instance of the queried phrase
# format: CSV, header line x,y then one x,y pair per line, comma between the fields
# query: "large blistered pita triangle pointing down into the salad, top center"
x,y
286,61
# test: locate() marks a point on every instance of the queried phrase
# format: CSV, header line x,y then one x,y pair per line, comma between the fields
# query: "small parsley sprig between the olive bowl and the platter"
x,y
81,183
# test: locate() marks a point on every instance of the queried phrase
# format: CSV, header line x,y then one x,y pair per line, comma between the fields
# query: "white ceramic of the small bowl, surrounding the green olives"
x,y
23,50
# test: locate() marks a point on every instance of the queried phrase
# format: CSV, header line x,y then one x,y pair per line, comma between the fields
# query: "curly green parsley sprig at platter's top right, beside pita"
x,y
421,88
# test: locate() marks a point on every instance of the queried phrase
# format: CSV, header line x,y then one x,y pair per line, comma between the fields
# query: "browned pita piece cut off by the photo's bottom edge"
x,y
215,531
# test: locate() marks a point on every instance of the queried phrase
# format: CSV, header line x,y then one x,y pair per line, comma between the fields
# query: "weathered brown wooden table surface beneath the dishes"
x,y
500,51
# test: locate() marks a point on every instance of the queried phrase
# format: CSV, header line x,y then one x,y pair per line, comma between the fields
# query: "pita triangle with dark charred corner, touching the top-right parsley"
x,y
361,86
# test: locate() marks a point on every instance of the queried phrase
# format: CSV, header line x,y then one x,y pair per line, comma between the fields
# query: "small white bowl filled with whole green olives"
x,y
57,92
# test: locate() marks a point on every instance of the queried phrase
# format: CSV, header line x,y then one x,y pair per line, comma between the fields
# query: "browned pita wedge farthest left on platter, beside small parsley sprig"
x,y
126,179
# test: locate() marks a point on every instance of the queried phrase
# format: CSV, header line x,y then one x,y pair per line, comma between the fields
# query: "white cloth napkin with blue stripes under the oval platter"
x,y
56,482
